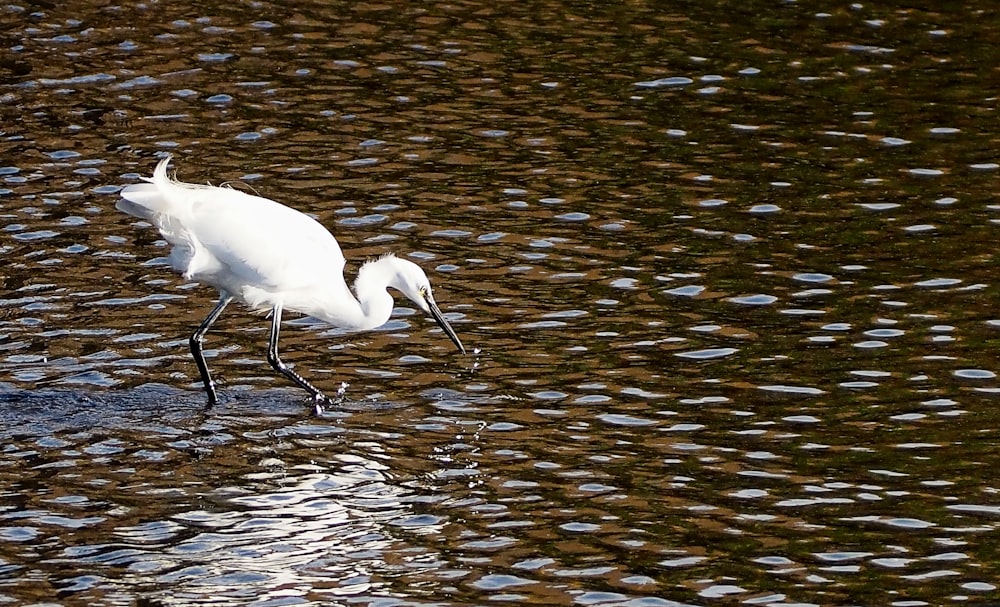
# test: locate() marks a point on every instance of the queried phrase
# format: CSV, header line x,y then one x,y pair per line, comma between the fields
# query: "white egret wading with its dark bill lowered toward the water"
x,y
269,256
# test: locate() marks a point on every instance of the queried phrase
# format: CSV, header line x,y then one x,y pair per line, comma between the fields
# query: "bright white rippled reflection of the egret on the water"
x,y
322,535
